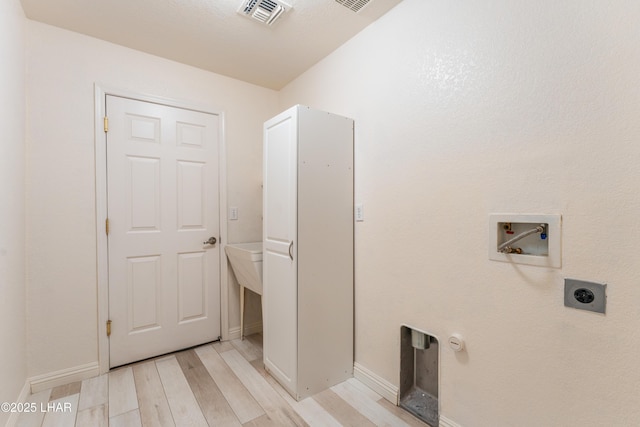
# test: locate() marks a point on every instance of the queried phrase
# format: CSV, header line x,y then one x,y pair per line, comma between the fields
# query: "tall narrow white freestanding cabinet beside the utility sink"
x,y
308,250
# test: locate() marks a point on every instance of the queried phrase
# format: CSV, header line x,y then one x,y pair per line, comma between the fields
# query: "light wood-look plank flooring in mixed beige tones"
x,y
218,384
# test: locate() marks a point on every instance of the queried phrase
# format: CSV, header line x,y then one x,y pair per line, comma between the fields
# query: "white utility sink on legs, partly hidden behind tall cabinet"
x,y
246,262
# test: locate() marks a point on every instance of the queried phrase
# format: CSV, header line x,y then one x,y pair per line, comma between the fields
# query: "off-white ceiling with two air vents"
x,y
210,34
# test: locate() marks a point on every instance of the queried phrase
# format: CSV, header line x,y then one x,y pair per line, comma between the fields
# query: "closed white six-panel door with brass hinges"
x,y
162,189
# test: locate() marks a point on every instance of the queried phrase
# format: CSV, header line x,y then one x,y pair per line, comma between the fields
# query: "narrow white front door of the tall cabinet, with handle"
x,y
279,252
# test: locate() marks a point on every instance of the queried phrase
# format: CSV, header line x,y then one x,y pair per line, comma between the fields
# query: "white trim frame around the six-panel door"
x,y
100,93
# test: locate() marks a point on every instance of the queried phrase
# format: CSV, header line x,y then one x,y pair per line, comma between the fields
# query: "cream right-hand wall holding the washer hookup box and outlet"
x,y
468,108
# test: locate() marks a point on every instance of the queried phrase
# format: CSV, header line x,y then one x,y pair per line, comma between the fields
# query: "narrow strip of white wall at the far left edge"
x,y
13,367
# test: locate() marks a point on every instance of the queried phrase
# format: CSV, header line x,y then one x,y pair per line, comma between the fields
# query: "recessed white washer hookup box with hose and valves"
x,y
532,239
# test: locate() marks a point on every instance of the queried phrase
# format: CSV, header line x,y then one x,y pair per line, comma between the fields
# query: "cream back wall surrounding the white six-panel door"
x,y
61,218
